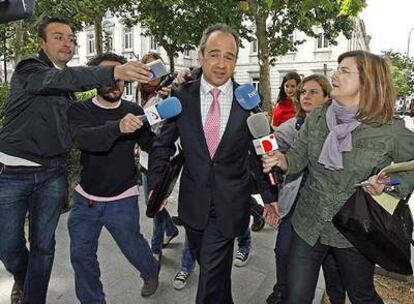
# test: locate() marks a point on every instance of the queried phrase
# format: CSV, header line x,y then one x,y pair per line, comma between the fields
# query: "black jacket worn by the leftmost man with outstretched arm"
x,y
36,126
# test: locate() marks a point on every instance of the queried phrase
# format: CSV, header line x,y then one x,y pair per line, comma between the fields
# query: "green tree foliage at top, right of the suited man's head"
x,y
284,17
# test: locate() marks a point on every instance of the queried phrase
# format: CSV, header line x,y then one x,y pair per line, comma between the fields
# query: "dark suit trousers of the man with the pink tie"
x,y
214,254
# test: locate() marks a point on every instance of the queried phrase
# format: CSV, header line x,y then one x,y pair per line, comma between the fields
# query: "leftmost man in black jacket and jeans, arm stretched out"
x,y
34,143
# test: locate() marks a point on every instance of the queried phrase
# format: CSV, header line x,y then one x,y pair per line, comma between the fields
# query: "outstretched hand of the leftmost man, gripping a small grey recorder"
x,y
132,71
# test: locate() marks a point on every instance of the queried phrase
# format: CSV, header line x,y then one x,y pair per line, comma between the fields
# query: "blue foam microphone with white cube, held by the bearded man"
x,y
165,109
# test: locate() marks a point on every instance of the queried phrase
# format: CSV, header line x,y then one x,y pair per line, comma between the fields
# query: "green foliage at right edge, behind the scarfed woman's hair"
x,y
402,72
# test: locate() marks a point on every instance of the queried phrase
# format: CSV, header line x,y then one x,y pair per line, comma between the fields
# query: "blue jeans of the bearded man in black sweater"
x,y
121,219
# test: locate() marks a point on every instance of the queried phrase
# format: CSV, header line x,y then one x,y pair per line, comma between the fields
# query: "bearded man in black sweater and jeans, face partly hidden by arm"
x,y
106,129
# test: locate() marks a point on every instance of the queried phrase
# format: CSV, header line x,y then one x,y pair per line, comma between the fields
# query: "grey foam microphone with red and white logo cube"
x,y
264,142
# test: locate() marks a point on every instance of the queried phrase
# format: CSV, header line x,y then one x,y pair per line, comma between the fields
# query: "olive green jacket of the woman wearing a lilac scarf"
x,y
325,191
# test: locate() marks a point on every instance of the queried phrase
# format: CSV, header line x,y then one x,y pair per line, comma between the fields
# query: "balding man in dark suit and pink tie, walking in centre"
x,y
215,182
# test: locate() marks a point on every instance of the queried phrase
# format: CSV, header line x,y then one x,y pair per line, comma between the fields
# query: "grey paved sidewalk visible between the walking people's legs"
x,y
122,285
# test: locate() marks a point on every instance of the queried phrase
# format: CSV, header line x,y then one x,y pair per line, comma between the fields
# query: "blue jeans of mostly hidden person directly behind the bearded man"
x,y
162,223
